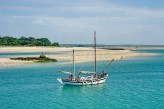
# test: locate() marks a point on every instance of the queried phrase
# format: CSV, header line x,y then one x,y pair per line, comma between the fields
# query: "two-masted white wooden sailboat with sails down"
x,y
93,77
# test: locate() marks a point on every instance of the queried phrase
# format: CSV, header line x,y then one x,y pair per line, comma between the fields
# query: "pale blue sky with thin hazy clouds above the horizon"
x,y
74,21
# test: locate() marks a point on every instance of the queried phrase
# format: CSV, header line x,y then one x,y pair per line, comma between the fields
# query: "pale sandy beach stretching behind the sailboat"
x,y
82,54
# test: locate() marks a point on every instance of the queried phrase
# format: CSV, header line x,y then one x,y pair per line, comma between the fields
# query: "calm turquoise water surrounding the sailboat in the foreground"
x,y
136,83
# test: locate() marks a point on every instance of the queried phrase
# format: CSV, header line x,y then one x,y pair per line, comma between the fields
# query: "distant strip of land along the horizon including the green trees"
x,y
31,41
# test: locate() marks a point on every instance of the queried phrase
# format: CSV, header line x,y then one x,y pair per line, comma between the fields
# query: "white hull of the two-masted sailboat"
x,y
81,83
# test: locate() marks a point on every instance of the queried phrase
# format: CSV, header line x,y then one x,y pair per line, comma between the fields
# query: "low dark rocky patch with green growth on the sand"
x,y
41,59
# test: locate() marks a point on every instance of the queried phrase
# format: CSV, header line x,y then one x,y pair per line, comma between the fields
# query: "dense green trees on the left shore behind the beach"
x,y
23,41
